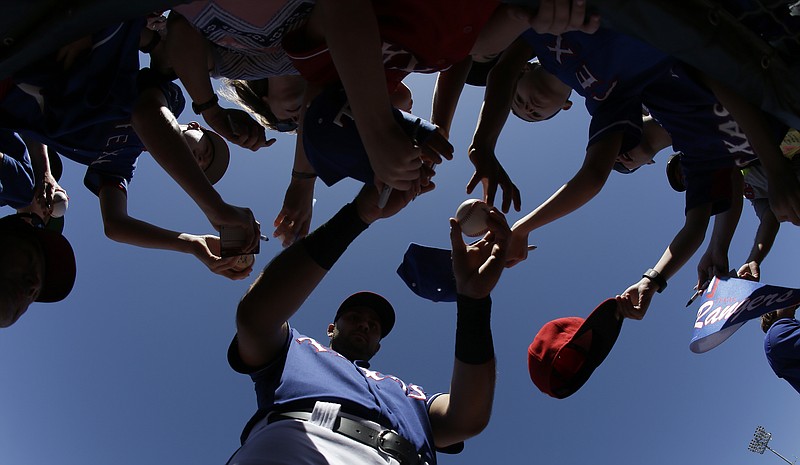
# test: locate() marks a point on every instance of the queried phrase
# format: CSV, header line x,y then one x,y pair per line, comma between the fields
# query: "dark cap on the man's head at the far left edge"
x,y
59,258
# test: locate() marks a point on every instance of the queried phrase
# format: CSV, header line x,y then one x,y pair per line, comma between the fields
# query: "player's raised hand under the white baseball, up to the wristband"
x,y
477,267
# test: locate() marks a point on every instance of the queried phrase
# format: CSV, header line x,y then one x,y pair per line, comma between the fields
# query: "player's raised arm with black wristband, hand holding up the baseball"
x,y
465,410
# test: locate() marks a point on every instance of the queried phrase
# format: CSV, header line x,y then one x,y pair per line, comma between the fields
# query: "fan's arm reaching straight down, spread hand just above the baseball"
x,y
500,89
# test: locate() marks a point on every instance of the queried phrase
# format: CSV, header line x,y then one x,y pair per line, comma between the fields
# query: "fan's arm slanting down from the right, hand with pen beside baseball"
x,y
586,184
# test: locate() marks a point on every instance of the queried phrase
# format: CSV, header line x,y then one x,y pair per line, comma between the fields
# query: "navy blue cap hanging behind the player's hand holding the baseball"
x,y
428,272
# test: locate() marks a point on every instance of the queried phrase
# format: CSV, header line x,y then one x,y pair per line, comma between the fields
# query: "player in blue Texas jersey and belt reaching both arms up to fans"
x,y
325,403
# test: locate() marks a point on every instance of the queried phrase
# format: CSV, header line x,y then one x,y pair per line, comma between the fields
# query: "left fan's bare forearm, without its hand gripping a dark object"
x,y
158,129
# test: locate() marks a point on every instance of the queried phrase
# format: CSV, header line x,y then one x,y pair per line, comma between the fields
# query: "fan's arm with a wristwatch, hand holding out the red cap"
x,y
634,301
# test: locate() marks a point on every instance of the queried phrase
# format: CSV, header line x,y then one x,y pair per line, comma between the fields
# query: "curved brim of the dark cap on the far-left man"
x,y
60,269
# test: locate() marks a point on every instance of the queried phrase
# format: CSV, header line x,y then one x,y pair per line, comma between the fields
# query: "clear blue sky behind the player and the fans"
x,y
131,368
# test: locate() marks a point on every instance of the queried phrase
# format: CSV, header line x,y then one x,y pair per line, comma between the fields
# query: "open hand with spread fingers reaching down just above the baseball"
x,y
490,173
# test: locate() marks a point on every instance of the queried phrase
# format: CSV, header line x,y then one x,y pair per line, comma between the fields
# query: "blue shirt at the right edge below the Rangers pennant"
x,y
782,347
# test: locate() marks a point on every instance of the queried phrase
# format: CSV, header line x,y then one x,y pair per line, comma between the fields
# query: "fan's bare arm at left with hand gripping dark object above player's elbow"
x,y
158,129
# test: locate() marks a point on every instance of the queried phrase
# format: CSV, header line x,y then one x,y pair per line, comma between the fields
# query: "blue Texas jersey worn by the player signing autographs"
x,y
308,371
